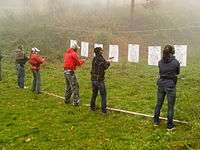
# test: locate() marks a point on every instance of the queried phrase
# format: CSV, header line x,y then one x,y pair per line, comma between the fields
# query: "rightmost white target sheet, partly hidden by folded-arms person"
x,y
181,54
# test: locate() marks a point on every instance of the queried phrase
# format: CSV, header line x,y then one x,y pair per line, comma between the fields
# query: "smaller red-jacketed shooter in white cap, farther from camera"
x,y
36,60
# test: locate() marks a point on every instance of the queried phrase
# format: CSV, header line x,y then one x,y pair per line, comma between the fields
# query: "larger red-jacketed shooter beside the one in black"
x,y
71,61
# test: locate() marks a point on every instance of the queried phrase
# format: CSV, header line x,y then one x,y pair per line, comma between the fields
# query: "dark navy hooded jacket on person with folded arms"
x,y
168,71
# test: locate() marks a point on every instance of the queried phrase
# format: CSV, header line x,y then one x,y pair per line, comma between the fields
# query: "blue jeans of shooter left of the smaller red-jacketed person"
x,y
20,75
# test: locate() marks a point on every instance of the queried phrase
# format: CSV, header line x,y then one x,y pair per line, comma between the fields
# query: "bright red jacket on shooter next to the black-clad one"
x,y
71,60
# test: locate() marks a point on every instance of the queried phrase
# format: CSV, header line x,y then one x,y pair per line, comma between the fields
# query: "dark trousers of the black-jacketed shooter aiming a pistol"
x,y
98,86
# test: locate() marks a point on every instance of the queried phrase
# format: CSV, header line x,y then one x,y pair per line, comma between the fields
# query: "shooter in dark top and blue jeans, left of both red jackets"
x,y
20,60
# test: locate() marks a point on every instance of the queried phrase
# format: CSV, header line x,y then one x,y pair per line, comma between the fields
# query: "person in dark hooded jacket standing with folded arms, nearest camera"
x,y
169,68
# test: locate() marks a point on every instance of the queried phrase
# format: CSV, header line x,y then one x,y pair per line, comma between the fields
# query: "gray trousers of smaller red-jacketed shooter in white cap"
x,y
36,82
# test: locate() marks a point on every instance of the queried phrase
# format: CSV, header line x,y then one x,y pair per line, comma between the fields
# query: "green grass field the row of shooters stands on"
x,y
29,121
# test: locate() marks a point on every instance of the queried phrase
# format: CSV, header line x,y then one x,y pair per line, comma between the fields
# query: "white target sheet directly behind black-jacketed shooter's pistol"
x,y
114,52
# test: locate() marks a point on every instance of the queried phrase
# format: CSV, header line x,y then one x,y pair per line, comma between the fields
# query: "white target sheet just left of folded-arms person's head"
x,y
154,55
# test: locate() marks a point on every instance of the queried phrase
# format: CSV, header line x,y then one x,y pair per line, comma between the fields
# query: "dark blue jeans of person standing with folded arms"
x,y
171,97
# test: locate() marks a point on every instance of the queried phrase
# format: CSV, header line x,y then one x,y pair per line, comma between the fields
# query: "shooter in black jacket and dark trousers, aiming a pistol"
x,y
99,65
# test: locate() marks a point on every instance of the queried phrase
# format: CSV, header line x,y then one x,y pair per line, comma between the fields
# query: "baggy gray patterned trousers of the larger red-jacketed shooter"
x,y
71,88
